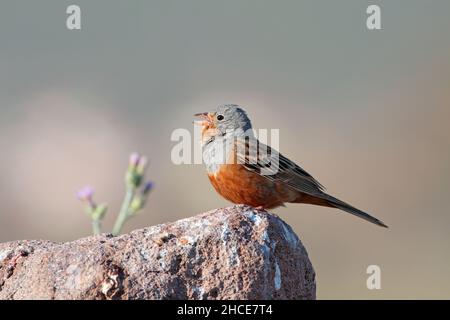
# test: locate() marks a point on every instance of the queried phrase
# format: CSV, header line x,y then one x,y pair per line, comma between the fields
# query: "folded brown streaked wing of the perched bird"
x,y
271,164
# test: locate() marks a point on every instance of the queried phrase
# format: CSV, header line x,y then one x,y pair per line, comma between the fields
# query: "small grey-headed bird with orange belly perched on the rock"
x,y
245,171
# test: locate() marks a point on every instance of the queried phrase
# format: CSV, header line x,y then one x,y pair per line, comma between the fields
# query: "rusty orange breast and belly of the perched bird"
x,y
241,186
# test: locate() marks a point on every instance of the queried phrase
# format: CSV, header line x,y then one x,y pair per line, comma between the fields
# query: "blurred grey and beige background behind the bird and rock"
x,y
365,112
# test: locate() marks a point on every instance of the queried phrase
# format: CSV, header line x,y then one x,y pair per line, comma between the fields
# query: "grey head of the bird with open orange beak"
x,y
224,119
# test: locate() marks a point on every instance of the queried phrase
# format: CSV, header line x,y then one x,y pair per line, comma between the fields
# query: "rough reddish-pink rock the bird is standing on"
x,y
231,253
